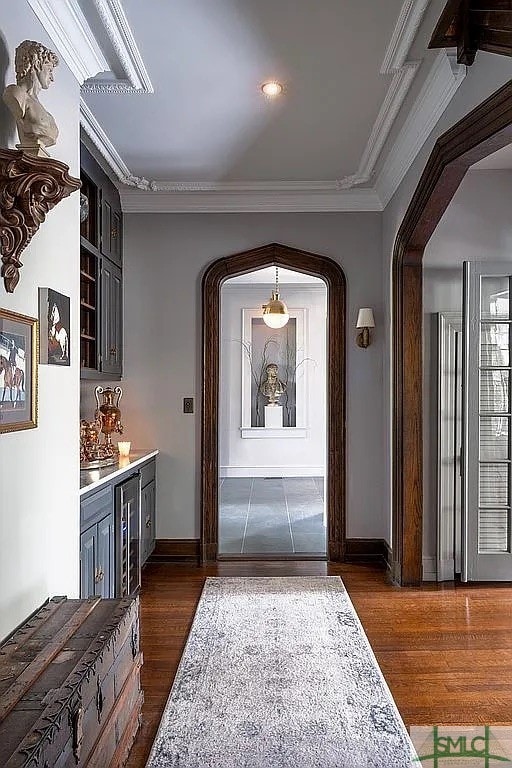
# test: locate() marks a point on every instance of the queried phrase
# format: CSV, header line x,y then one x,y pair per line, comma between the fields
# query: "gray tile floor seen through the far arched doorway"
x,y
276,515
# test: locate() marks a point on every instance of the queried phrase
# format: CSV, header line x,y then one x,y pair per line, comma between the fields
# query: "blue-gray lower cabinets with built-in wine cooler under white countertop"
x,y
117,533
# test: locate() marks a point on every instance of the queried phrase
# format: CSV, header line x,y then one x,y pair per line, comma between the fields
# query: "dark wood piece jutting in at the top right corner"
x,y
473,25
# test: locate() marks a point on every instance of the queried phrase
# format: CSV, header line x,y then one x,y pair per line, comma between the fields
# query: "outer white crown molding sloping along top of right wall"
x,y
437,91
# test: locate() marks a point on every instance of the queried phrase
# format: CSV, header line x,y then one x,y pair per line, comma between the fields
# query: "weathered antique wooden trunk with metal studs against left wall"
x,y
70,686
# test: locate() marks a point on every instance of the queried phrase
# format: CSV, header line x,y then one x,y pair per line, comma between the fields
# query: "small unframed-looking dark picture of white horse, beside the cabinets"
x,y
54,327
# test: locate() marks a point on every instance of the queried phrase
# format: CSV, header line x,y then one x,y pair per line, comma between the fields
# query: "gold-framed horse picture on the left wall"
x,y
18,371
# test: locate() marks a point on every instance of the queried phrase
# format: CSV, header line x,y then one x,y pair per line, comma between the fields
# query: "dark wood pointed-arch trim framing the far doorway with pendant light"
x,y
332,273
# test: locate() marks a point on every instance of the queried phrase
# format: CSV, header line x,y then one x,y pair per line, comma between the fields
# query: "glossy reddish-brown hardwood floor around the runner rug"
x,y
445,651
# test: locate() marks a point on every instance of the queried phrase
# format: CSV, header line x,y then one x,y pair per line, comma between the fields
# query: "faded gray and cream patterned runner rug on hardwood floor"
x,y
278,673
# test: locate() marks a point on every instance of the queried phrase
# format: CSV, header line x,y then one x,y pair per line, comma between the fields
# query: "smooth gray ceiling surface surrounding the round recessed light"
x,y
208,121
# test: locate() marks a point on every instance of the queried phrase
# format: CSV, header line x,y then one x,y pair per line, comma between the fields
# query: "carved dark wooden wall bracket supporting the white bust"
x,y
29,188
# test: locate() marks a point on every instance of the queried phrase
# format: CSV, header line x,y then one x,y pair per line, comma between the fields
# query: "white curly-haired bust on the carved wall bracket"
x,y
34,64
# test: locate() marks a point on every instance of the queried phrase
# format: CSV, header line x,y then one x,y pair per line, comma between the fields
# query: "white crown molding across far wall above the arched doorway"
x,y
273,199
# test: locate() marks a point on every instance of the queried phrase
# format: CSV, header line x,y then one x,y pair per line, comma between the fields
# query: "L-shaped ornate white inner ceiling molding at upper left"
x,y
121,36
